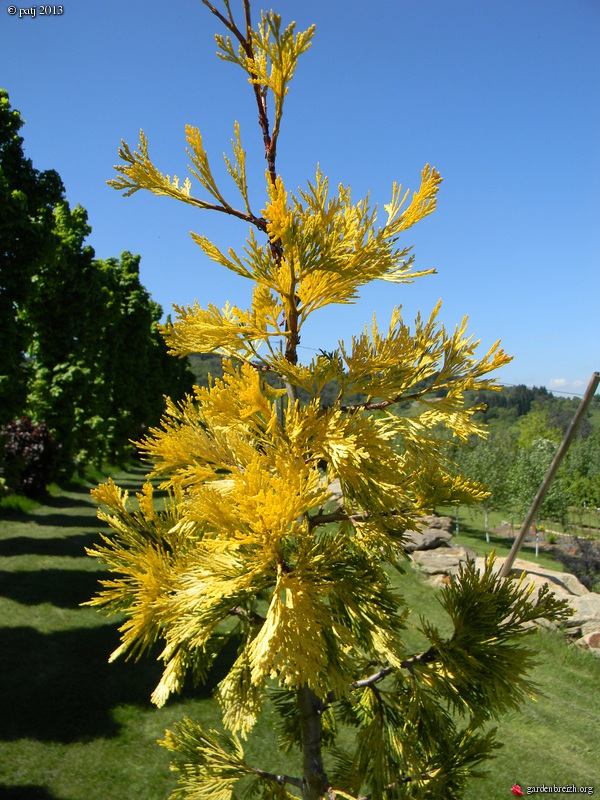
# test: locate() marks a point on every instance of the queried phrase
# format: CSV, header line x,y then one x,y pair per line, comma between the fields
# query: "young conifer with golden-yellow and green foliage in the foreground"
x,y
250,548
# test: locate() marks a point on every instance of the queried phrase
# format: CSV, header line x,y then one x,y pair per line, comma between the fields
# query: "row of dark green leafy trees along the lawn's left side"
x,y
80,346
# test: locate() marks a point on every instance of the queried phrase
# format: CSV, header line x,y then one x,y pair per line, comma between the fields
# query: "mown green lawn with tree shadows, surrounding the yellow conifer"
x,y
73,727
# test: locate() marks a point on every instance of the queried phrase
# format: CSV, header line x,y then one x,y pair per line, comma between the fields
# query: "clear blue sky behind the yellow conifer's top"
x,y
502,96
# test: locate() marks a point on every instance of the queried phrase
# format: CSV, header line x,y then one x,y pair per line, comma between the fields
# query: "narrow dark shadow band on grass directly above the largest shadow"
x,y
64,588
